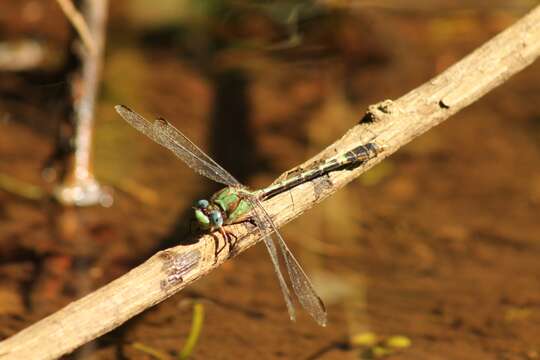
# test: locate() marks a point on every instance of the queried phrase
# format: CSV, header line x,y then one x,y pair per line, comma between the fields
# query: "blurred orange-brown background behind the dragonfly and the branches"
x,y
432,254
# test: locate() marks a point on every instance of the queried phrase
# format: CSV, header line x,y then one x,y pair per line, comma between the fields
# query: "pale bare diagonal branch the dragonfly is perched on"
x,y
395,122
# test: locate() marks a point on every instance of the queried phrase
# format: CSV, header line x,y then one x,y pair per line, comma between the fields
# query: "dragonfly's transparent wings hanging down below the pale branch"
x,y
300,282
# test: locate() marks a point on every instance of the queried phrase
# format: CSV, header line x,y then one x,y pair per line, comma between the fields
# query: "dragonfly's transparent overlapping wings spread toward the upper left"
x,y
168,136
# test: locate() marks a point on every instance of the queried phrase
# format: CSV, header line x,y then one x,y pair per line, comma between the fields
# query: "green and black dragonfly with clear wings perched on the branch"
x,y
234,202
